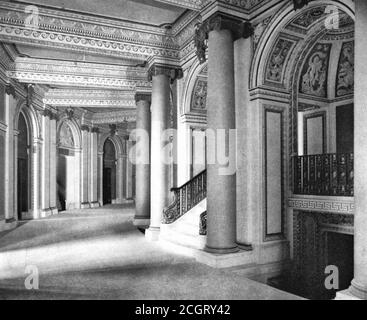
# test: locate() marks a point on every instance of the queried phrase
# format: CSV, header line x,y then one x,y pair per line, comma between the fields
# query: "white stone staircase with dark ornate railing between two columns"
x,y
184,221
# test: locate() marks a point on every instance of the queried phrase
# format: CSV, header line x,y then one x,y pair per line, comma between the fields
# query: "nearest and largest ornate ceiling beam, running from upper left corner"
x,y
84,33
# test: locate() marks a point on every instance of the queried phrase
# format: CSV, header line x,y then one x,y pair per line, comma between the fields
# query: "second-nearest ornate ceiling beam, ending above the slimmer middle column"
x,y
65,73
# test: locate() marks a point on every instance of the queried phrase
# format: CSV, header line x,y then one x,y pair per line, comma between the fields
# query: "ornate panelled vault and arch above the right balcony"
x,y
289,38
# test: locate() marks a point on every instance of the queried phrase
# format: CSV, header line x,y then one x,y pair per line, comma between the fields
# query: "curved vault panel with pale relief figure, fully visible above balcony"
x,y
315,71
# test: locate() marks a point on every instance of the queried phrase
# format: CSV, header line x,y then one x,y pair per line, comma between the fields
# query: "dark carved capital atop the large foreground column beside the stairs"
x,y
219,21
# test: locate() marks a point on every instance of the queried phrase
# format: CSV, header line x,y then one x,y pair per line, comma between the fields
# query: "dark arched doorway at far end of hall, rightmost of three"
x,y
109,172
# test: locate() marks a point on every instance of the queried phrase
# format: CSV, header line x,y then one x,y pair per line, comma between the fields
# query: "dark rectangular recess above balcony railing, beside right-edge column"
x,y
345,129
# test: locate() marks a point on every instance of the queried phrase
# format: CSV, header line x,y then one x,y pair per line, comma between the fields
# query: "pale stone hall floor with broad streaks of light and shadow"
x,y
98,254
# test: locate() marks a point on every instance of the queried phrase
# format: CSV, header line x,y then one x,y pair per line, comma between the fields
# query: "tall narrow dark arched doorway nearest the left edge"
x,y
23,167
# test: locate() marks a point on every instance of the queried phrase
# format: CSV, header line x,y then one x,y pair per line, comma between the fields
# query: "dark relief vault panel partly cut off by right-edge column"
x,y
345,73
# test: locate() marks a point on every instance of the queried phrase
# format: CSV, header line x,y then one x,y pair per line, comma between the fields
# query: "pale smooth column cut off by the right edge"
x,y
359,284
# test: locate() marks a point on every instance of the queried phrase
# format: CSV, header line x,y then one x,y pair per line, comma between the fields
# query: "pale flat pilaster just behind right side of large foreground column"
x,y
248,170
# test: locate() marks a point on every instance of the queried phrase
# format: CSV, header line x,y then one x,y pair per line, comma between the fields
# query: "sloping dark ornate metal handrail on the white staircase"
x,y
186,197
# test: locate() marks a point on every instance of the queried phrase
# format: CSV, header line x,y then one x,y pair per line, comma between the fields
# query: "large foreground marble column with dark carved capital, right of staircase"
x,y
221,31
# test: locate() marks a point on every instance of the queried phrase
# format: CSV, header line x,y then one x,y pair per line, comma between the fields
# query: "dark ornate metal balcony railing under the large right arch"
x,y
324,174
